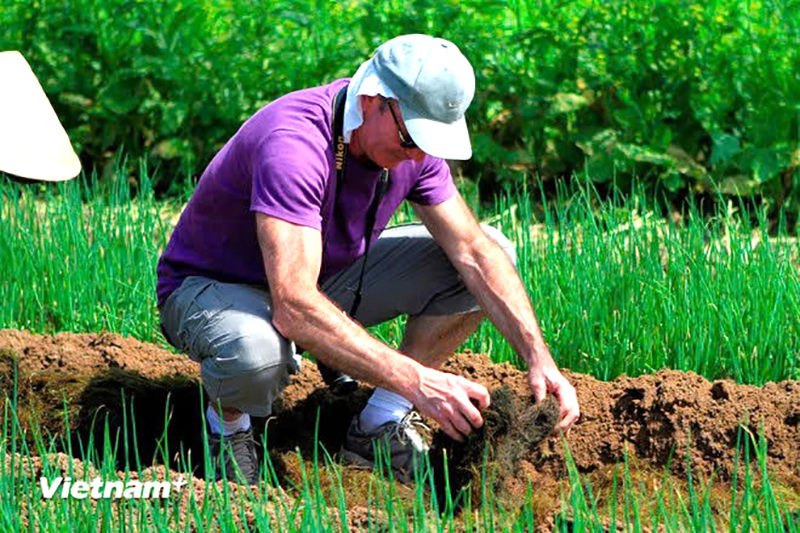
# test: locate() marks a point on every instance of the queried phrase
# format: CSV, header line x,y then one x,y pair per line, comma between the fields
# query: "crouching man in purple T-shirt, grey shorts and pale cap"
x,y
272,250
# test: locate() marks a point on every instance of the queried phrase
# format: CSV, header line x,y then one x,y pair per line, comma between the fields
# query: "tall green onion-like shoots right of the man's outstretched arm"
x,y
620,290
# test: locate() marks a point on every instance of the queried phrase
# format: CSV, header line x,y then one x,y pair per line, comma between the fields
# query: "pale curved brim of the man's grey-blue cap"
x,y
439,139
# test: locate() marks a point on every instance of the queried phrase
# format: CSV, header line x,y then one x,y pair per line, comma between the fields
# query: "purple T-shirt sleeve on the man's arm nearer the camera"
x,y
289,178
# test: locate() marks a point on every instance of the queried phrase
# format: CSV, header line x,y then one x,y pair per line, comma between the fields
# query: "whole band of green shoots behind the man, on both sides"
x,y
616,288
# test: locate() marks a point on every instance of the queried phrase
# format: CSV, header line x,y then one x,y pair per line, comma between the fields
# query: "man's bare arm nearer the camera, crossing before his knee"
x,y
292,258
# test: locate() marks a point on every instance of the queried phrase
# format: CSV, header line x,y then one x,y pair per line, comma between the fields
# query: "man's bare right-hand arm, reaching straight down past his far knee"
x,y
491,277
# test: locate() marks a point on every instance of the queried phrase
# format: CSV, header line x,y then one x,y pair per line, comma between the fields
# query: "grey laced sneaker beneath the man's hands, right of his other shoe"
x,y
405,444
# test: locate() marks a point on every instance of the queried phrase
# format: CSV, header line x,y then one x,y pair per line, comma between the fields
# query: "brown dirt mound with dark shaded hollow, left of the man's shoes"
x,y
79,379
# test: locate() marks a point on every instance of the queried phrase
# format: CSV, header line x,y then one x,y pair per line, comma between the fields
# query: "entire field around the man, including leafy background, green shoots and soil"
x,y
642,155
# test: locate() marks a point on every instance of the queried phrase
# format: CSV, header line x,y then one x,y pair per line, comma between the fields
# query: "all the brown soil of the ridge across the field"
x,y
669,419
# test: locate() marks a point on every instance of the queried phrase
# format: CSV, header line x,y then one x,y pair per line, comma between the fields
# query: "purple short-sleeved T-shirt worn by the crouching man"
x,y
280,163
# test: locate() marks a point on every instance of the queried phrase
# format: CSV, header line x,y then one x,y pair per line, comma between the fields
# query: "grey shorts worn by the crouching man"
x,y
246,363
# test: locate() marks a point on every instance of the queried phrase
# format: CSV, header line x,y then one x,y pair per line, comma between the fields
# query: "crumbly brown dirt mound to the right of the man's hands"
x,y
656,416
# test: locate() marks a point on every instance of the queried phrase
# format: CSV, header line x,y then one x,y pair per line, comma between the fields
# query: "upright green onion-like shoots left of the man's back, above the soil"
x,y
80,258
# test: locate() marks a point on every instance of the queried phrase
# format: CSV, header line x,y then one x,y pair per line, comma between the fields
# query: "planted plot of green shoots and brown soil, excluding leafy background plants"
x,y
618,290
